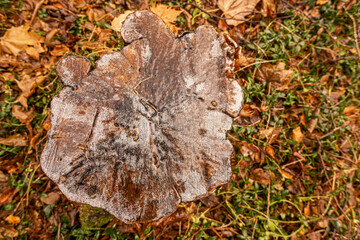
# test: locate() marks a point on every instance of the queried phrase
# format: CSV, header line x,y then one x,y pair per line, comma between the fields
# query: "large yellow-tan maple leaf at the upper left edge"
x,y
19,38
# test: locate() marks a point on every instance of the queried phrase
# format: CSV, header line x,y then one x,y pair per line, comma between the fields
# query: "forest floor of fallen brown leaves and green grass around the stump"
x,y
296,165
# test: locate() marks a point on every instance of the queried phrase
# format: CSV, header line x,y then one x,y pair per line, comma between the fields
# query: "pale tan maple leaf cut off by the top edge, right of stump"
x,y
236,9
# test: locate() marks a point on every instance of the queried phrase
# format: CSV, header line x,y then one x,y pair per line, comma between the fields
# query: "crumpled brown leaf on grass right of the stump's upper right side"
x,y
276,75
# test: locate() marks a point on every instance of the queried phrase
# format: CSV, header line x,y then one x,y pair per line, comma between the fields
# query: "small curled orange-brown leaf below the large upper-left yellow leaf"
x,y
27,86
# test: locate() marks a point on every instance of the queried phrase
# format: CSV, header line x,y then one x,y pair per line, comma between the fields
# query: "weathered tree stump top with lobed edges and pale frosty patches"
x,y
146,129
